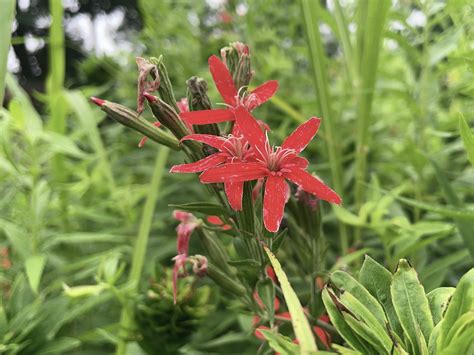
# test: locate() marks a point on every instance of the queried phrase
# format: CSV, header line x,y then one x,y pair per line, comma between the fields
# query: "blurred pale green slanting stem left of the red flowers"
x,y
139,252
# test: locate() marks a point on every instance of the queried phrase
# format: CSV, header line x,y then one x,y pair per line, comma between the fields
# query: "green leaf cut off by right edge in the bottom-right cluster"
x,y
461,303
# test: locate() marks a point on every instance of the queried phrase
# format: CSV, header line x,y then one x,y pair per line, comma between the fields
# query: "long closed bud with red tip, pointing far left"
x,y
131,119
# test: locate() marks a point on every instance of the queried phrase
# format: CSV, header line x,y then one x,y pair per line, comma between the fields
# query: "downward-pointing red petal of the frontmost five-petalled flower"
x,y
274,200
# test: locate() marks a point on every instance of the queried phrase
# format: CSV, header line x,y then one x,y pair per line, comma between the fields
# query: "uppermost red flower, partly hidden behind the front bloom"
x,y
230,94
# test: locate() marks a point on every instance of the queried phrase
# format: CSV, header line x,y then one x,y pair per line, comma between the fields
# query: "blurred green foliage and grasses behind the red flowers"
x,y
395,90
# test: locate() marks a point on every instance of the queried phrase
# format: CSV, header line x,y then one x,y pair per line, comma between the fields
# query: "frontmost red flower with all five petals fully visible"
x,y
276,165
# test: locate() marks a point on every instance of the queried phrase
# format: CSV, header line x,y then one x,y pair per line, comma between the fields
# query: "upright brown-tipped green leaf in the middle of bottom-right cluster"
x,y
411,306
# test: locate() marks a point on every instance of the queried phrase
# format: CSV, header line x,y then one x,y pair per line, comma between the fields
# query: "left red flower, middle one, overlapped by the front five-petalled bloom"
x,y
229,149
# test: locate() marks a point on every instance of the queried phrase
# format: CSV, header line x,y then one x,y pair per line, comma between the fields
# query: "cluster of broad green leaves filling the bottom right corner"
x,y
387,313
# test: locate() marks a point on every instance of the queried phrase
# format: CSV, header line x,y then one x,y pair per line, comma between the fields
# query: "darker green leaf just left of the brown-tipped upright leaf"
x,y
377,281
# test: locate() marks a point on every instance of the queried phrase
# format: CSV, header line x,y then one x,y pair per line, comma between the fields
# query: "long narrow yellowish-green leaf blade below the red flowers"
x,y
300,324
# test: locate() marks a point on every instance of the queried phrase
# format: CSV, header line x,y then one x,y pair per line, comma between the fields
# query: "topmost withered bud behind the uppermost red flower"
x,y
237,59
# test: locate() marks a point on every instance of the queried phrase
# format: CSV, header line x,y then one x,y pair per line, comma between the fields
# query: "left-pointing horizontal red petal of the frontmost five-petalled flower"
x,y
234,172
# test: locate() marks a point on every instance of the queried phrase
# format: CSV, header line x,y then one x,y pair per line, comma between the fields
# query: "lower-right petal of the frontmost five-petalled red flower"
x,y
312,185
